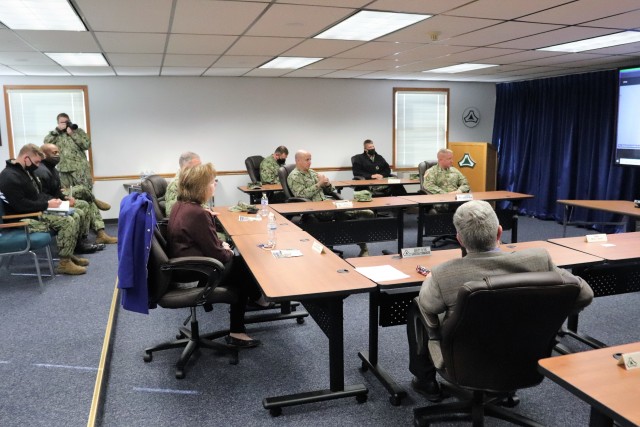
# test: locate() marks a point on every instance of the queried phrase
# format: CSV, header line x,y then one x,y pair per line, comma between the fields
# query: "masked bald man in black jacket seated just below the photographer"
x,y
52,185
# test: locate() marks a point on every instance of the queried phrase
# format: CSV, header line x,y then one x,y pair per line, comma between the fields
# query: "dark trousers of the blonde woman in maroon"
x,y
238,277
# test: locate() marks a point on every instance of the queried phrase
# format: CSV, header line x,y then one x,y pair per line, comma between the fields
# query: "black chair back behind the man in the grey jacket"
x,y
502,326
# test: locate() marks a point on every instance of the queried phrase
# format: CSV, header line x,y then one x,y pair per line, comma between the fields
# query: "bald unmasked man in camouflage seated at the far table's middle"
x,y
305,182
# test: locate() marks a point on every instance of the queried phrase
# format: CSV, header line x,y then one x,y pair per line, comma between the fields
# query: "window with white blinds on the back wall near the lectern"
x,y
420,125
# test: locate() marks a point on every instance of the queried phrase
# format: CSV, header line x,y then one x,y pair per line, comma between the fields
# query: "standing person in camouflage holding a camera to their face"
x,y
74,168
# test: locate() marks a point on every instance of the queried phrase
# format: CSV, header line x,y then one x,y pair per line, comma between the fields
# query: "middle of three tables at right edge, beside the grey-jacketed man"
x,y
619,274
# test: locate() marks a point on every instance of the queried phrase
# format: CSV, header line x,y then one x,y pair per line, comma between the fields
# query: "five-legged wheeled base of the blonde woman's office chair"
x,y
191,340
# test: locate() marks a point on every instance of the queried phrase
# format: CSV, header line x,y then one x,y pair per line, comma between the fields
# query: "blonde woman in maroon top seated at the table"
x,y
192,232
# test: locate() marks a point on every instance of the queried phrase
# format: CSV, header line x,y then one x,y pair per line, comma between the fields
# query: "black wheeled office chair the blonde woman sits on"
x,y
164,275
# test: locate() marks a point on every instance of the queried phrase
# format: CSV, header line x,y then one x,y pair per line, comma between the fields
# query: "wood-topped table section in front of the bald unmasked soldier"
x,y
332,233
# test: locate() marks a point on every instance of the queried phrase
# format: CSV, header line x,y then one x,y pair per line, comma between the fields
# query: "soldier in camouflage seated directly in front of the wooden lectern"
x,y
443,178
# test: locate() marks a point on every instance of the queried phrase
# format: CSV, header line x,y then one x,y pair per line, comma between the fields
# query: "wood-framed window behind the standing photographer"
x,y
32,110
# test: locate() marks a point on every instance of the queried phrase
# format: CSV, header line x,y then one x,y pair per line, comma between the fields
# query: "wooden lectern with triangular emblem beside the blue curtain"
x,y
478,161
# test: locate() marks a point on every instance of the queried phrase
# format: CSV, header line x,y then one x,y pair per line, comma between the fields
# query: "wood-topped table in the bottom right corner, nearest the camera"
x,y
595,377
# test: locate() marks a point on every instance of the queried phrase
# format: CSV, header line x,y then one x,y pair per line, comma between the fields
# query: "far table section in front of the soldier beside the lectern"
x,y
426,201
